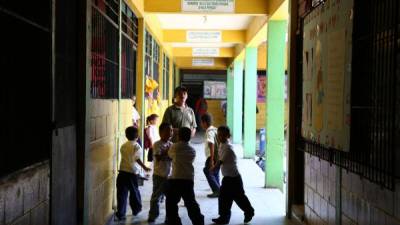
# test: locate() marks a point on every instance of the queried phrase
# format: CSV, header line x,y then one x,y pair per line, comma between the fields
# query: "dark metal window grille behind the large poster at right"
x,y
375,90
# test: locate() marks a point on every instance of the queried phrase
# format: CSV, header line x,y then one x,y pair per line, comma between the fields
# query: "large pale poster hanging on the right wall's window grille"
x,y
327,55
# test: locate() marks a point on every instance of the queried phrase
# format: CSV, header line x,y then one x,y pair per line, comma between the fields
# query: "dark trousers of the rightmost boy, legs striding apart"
x,y
232,190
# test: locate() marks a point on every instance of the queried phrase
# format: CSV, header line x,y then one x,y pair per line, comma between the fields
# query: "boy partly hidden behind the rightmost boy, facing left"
x,y
211,151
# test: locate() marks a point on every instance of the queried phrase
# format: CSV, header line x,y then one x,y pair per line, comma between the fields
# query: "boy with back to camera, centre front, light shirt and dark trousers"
x,y
180,183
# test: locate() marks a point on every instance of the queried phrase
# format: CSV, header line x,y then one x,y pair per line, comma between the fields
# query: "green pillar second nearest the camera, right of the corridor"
x,y
250,102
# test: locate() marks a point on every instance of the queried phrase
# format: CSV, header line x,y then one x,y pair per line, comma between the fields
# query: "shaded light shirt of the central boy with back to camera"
x,y
182,155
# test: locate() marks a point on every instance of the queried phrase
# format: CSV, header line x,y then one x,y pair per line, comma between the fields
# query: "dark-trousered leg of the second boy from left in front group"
x,y
158,191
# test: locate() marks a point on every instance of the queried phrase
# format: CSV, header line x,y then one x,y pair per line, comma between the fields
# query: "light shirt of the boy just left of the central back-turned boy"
x,y
162,167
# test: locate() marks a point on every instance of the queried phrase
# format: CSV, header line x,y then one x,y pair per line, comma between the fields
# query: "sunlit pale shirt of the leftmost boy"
x,y
130,153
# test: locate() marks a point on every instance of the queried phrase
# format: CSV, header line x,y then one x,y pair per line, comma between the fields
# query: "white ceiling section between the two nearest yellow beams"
x,y
202,22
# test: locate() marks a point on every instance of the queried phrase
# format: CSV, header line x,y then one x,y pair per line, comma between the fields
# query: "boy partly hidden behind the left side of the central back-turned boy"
x,y
162,168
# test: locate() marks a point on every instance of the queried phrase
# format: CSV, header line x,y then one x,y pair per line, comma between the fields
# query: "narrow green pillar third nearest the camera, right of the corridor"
x,y
237,101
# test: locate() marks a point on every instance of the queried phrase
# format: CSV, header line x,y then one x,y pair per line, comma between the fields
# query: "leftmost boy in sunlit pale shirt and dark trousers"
x,y
127,179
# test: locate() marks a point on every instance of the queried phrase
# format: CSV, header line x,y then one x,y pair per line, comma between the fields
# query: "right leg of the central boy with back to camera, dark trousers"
x,y
190,202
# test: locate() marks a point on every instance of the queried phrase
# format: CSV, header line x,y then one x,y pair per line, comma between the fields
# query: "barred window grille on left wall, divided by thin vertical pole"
x,y
105,50
